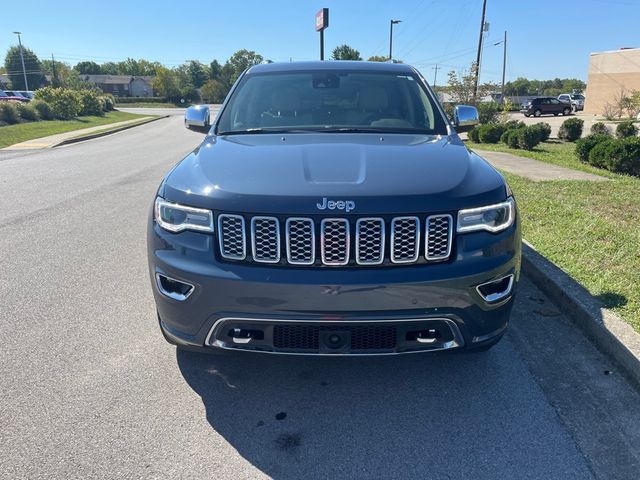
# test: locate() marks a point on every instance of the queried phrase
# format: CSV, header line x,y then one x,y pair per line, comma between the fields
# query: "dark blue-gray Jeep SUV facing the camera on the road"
x,y
332,209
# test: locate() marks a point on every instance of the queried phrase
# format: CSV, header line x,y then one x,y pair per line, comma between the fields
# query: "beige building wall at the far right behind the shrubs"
x,y
609,73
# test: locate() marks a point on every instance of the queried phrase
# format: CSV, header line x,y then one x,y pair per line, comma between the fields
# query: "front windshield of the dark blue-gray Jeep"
x,y
330,101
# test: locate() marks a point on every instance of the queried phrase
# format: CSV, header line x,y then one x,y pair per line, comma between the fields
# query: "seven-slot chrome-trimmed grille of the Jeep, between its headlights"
x,y
329,241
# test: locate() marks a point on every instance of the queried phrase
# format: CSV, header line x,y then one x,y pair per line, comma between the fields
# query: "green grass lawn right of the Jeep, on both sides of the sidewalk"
x,y
590,229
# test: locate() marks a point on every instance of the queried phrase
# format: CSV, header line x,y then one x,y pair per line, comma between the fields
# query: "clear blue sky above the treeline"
x,y
547,38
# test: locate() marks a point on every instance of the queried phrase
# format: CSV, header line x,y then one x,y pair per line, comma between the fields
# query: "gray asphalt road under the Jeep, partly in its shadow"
x,y
89,389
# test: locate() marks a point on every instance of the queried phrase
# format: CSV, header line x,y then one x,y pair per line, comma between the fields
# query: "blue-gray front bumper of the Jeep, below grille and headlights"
x,y
416,308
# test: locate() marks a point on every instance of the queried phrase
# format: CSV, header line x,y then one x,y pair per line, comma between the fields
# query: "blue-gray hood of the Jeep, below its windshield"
x,y
269,173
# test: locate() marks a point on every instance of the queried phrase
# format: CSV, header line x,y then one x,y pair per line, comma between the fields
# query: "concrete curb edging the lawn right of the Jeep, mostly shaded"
x,y
611,335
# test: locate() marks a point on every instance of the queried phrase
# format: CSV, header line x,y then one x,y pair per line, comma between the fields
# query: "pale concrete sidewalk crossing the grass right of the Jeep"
x,y
534,169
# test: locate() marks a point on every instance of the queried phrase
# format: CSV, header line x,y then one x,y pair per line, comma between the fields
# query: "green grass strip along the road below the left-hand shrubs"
x,y
11,134
